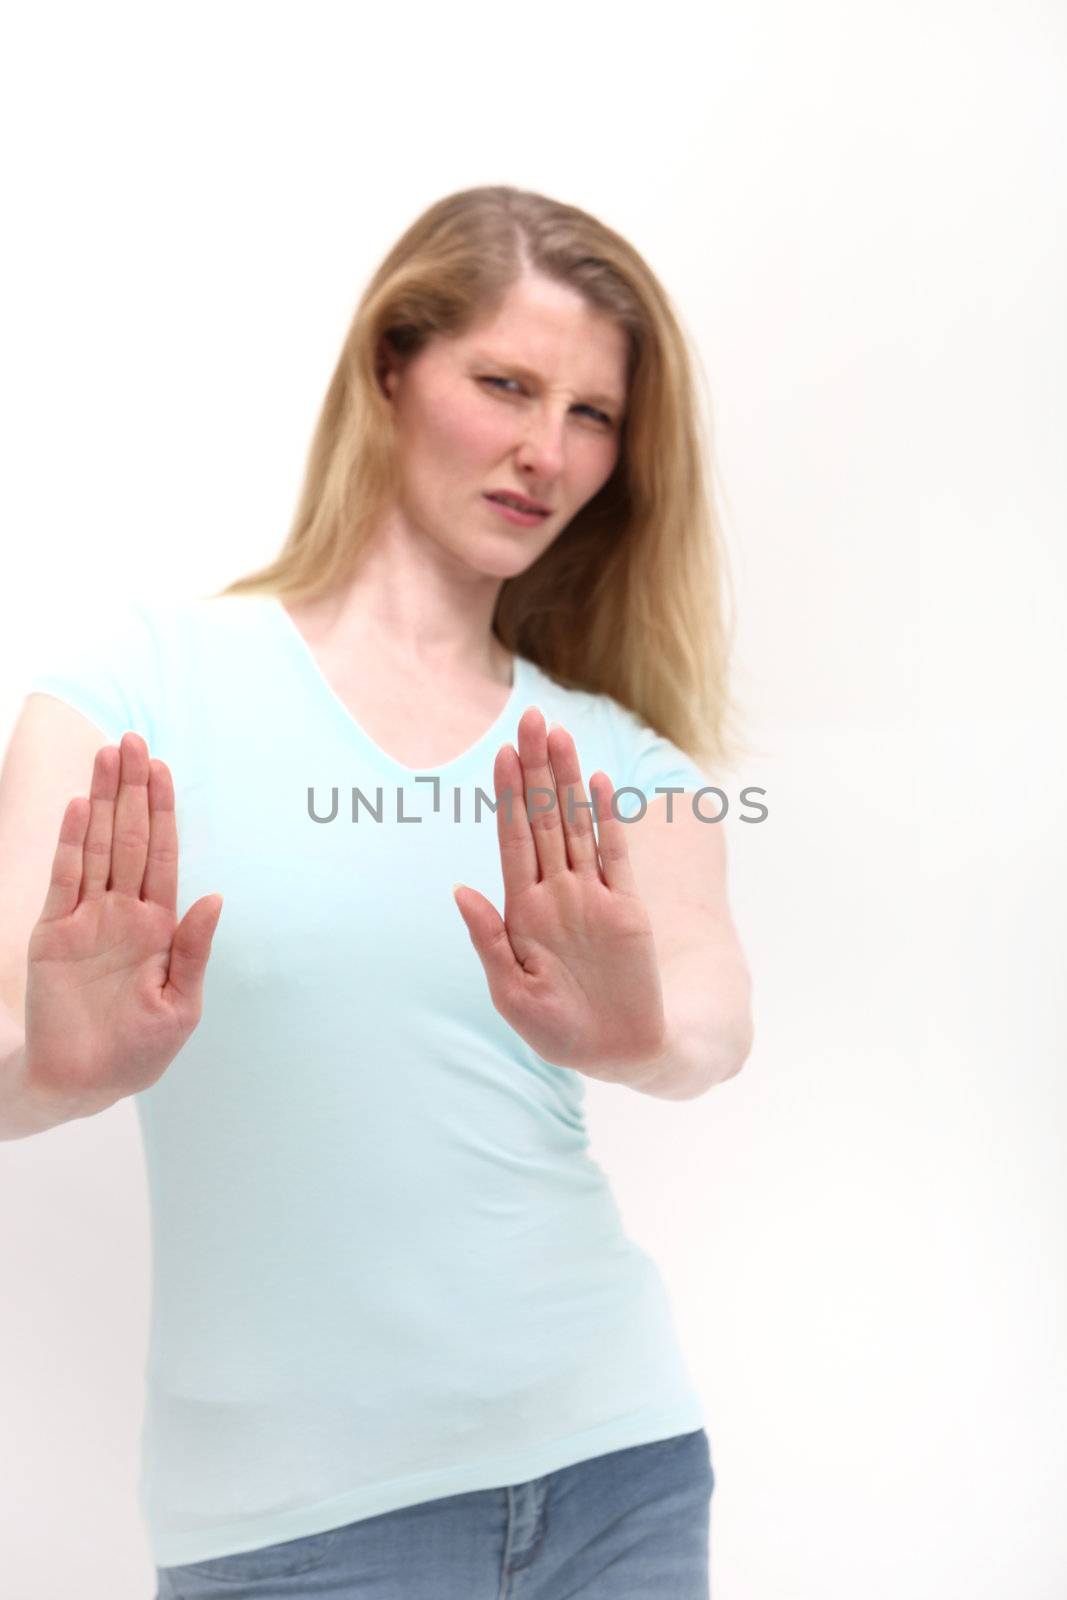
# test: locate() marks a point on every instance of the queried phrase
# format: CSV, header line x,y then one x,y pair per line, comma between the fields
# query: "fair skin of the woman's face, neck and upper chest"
x,y
409,646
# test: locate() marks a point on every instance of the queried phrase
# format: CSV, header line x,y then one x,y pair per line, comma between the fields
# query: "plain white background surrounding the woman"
x,y
860,217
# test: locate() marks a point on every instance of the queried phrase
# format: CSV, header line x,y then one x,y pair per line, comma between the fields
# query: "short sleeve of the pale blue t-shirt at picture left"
x,y
108,670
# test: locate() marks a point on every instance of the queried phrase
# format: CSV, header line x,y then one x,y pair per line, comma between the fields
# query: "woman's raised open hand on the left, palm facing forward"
x,y
114,982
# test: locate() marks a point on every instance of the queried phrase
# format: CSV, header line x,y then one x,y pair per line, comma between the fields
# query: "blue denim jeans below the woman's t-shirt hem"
x,y
620,1527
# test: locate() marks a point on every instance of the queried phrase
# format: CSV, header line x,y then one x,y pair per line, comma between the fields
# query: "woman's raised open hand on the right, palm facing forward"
x,y
572,966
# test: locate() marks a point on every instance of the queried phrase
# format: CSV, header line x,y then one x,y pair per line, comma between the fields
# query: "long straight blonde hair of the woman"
x,y
629,599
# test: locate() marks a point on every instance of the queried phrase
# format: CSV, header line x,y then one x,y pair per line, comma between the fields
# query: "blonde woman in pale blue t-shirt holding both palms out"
x,y
401,1340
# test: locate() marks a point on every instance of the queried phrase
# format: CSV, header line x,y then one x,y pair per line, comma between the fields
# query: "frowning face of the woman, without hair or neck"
x,y
527,402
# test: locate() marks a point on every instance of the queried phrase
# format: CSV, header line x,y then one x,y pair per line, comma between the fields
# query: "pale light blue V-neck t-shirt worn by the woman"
x,y
385,1265
